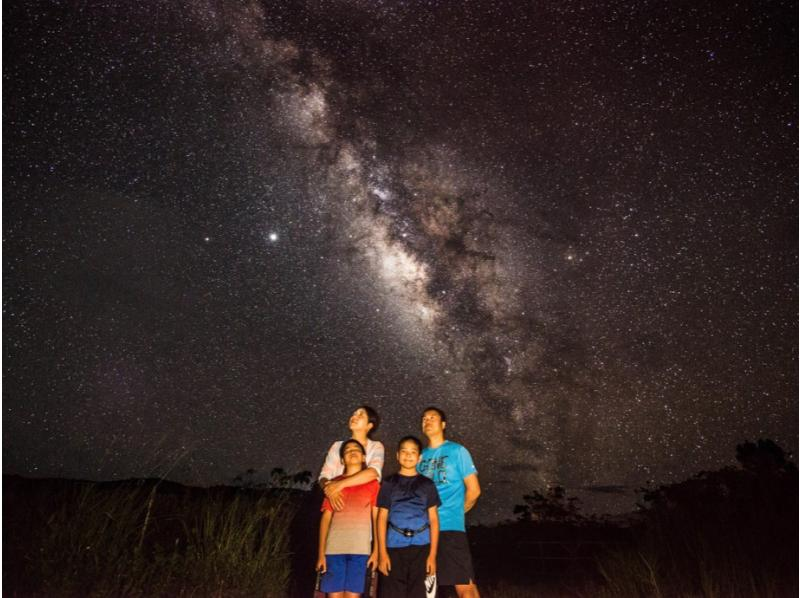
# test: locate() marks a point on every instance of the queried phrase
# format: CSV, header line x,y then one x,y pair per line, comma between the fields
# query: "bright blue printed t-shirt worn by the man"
x,y
447,466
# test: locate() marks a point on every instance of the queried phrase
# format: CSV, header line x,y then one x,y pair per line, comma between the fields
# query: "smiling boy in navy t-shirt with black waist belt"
x,y
408,526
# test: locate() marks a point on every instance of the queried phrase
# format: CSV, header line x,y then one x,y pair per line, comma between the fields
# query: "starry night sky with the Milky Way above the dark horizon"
x,y
571,225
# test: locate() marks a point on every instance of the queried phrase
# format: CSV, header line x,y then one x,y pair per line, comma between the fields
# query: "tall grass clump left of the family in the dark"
x,y
131,541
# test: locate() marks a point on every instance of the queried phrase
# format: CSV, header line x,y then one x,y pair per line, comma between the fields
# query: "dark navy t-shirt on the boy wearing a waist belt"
x,y
408,499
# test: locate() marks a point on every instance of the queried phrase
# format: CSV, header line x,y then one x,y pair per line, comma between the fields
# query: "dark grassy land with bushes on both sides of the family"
x,y
725,534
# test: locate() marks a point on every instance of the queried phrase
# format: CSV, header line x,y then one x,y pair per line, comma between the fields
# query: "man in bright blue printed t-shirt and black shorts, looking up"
x,y
450,467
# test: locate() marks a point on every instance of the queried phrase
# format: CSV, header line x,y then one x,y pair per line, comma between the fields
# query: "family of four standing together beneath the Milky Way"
x,y
409,526
